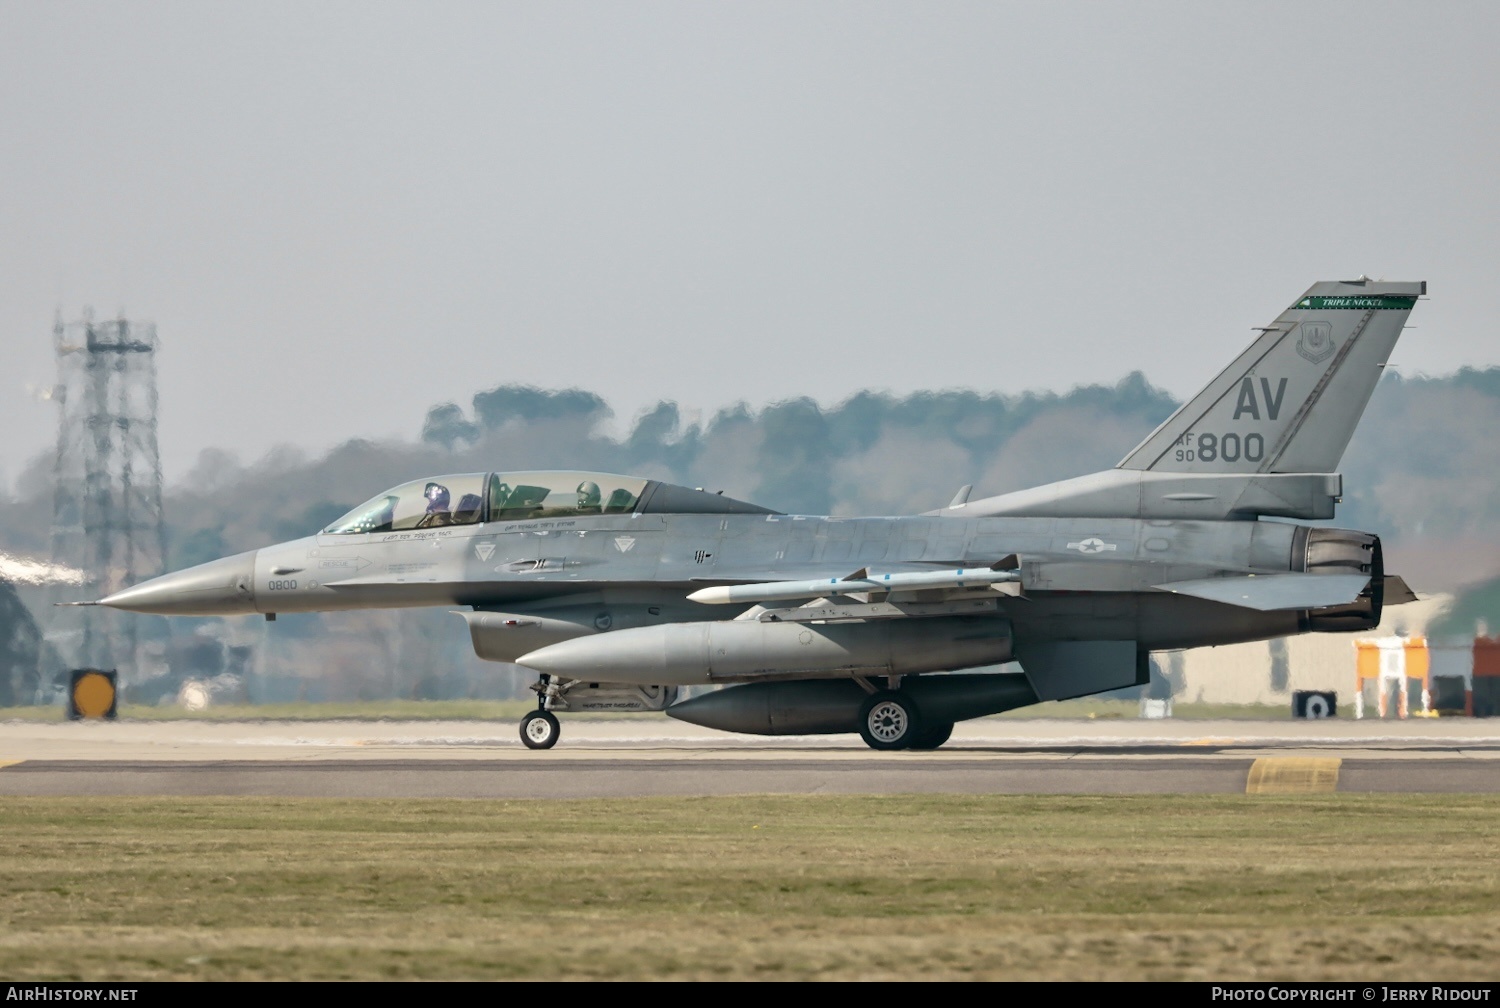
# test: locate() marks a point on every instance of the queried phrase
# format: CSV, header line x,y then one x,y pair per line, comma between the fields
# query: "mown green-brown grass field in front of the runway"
x,y
1343,887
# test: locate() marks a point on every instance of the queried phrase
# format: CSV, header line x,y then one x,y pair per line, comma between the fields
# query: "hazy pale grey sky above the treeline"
x,y
343,214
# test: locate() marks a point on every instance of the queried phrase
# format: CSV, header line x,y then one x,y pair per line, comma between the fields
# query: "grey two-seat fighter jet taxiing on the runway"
x,y
620,592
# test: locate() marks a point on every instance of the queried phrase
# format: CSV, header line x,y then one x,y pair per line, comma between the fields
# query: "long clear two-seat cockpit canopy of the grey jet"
x,y
470,499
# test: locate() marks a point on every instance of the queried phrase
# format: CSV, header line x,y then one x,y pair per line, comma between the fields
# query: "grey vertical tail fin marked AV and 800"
x,y
1291,403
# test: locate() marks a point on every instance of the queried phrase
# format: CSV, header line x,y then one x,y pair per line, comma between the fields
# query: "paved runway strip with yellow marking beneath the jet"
x,y
640,758
